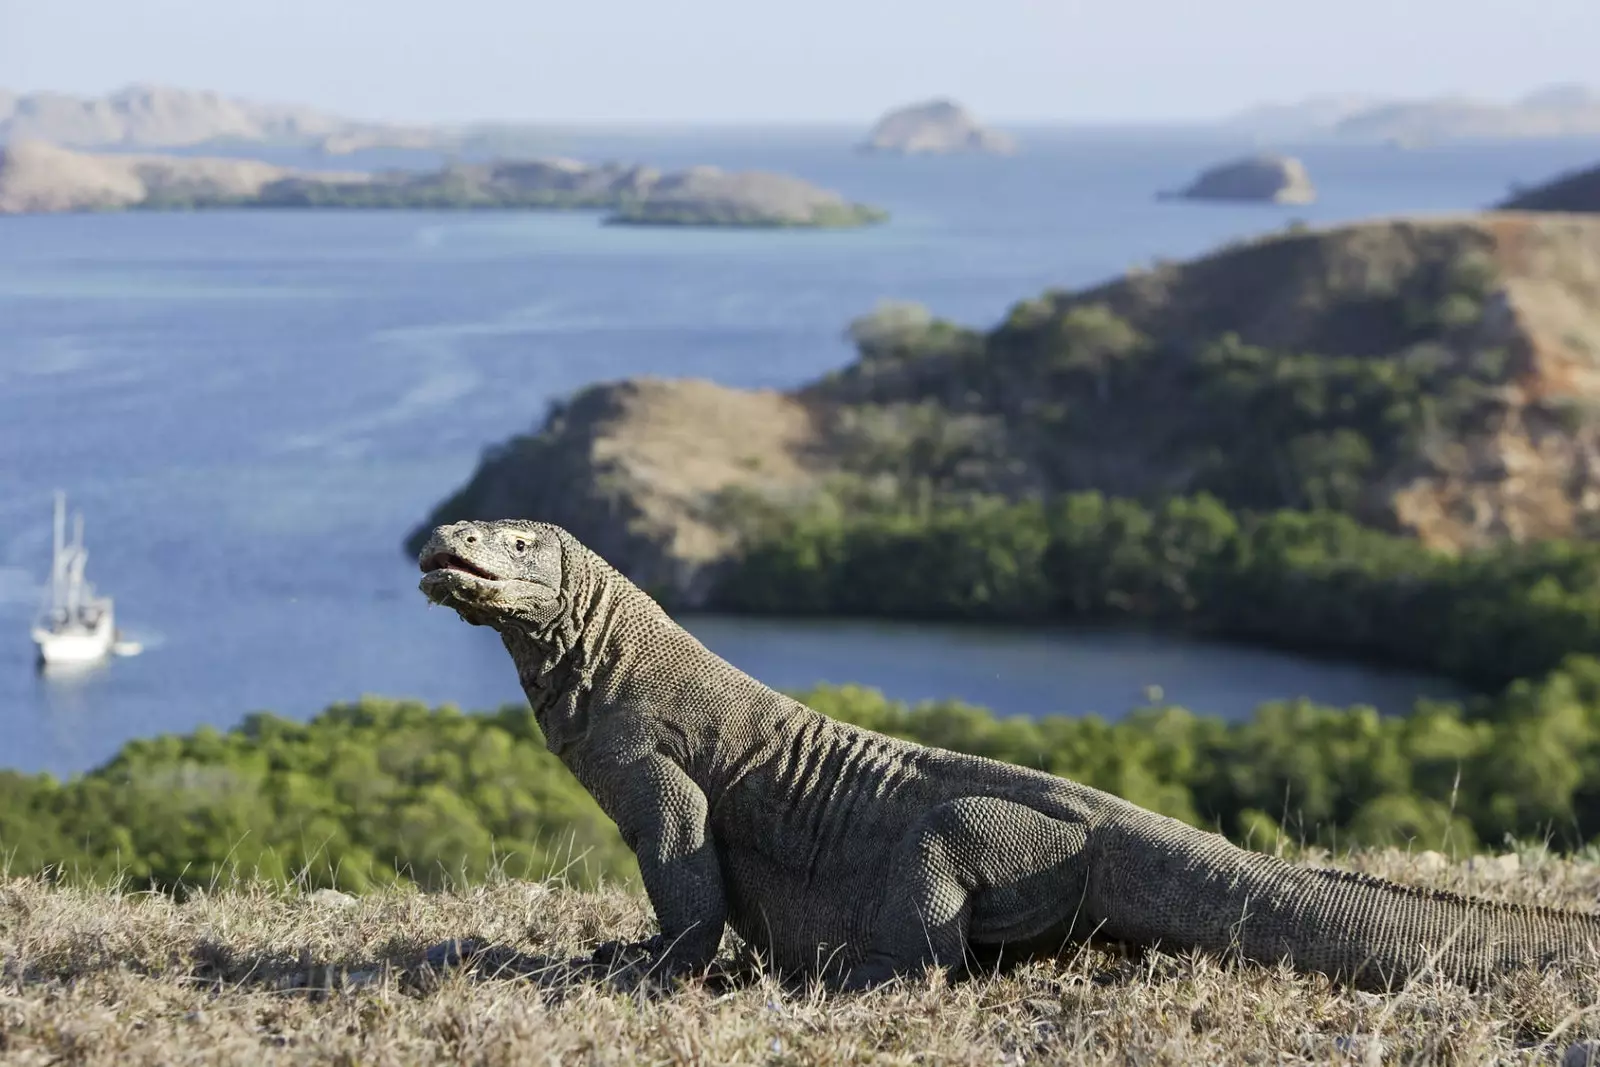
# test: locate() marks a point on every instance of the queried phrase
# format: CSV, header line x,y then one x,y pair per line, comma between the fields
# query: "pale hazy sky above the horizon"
x,y
796,62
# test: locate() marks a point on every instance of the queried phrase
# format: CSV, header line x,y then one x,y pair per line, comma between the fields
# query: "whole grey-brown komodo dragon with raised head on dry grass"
x,y
855,857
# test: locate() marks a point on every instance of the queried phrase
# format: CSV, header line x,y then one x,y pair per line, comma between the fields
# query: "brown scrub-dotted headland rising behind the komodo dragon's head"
x,y
1430,377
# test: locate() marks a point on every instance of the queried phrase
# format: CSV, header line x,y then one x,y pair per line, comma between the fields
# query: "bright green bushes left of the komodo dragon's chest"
x,y
369,794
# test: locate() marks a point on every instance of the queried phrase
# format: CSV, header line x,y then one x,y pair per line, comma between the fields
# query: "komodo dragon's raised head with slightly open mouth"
x,y
503,573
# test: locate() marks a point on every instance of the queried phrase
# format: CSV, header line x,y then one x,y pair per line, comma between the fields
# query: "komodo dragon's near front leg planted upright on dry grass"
x,y
663,818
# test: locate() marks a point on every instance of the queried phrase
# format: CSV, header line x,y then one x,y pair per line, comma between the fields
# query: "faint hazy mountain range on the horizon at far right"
x,y
1558,111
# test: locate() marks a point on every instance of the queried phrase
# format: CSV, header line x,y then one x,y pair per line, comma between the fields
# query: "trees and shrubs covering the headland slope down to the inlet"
x,y
1257,511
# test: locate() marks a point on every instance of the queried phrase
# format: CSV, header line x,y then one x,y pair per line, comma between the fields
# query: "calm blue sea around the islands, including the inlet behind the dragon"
x,y
254,409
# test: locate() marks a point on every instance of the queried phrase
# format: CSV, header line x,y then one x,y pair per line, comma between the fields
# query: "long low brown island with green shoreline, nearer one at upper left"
x,y
39,178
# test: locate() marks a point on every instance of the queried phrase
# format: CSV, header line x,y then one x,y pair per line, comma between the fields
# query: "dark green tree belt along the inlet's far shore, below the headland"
x,y
1310,581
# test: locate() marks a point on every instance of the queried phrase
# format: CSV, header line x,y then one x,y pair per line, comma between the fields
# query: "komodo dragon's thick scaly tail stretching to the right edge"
x,y
1198,890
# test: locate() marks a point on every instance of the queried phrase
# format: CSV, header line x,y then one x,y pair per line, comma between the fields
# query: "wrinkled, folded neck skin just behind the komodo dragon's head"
x,y
558,663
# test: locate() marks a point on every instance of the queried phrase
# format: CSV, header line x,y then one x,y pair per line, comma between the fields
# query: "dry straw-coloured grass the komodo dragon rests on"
x,y
257,977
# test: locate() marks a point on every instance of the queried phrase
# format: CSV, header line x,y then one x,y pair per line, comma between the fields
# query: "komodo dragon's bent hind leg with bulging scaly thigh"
x,y
974,871
